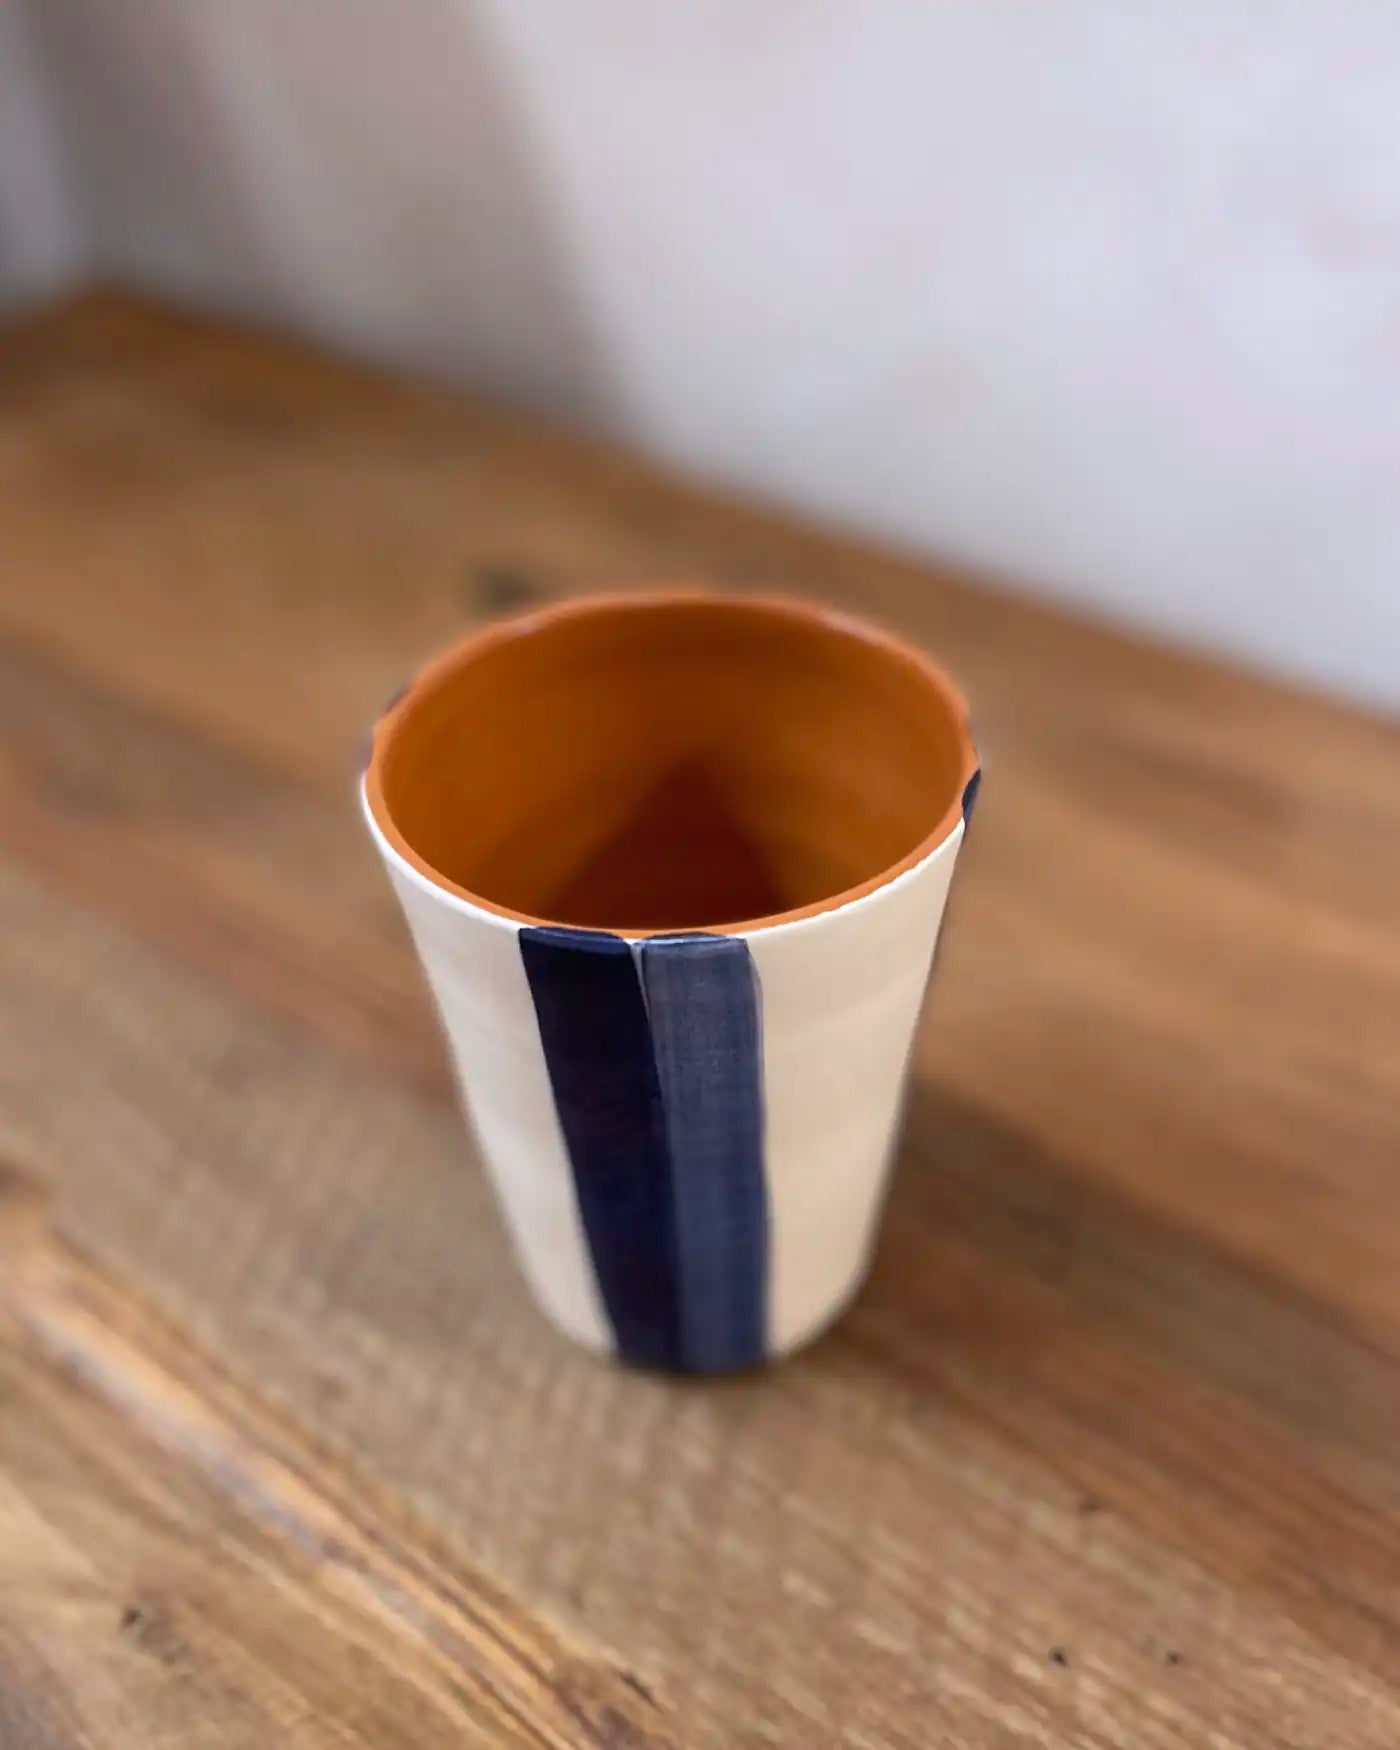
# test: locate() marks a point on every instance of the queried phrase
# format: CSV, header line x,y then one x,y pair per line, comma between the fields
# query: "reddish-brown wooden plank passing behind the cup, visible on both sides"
x,y
1240,1040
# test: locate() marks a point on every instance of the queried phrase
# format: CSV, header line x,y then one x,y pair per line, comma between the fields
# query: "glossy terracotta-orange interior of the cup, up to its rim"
x,y
671,762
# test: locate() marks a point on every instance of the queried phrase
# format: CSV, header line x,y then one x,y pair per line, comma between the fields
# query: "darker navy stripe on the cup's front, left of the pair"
x,y
598,1047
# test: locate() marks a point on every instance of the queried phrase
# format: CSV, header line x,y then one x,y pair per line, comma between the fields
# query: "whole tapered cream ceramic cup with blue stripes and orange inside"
x,y
675,865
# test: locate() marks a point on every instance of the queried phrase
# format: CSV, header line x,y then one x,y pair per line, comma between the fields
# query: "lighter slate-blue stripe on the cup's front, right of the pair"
x,y
703,998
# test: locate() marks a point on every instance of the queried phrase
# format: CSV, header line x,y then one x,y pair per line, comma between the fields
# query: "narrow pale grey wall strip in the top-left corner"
x,y
41,228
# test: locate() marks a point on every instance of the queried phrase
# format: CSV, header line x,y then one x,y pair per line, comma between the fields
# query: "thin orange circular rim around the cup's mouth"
x,y
815,615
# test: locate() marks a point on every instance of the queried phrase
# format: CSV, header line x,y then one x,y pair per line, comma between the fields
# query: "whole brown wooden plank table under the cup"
x,y
1109,1455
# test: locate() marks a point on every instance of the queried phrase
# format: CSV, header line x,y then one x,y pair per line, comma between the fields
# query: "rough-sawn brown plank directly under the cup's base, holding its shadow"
x,y
883,1543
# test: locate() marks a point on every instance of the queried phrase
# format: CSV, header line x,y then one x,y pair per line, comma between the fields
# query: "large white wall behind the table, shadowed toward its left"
x,y
1098,293
